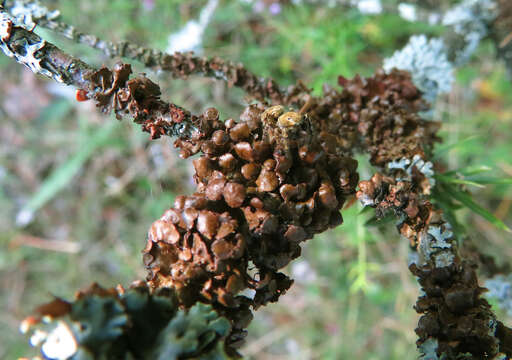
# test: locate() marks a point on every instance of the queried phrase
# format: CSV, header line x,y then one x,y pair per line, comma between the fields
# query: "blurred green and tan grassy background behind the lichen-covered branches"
x,y
79,190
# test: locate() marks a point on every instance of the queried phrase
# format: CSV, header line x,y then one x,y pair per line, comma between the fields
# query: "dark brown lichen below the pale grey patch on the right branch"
x,y
455,312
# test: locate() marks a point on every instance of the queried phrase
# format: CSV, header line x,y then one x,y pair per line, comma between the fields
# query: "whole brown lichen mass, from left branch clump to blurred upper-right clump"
x,y
265,183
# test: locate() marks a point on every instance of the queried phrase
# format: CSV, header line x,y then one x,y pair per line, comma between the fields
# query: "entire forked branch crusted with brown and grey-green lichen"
x,y
265,184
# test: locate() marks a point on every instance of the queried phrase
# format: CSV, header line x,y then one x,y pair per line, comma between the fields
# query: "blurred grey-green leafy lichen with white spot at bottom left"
x,y
119,324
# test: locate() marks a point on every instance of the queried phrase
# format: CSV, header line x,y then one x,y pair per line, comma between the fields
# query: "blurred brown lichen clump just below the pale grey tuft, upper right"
x,y
377,115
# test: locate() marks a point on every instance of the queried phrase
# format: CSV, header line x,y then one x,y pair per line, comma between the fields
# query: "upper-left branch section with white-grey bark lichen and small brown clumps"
x,y
111,89
